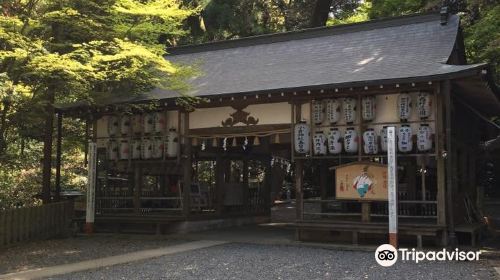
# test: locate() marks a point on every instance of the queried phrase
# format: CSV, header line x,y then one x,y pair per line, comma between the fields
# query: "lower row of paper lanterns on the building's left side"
x,y
145,148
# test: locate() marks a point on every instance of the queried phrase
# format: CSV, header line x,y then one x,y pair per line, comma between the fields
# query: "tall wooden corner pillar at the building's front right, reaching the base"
x,y
450,182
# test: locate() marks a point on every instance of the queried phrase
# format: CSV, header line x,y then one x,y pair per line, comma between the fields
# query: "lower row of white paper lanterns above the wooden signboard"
x,y
335,143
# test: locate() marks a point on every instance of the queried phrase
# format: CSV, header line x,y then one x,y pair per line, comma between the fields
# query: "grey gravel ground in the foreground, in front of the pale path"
x,y
246,261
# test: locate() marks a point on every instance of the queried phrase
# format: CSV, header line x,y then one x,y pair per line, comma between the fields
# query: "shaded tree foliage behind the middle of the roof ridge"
x,y
229,19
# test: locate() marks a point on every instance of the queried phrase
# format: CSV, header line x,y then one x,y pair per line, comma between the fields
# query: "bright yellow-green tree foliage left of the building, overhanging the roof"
x,y
57,51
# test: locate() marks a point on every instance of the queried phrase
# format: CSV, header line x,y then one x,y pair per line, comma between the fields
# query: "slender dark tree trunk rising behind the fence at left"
x,y
47,147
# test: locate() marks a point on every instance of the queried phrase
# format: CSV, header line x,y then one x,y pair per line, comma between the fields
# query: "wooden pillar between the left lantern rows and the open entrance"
x,y
187,167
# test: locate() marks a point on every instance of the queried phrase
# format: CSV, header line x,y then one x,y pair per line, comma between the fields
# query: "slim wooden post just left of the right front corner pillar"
x,y
441,166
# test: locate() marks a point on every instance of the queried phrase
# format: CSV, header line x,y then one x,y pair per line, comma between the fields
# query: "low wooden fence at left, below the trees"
x,y
35,223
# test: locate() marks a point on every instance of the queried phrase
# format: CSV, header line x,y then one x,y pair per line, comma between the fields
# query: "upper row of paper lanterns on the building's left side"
x,y
148,123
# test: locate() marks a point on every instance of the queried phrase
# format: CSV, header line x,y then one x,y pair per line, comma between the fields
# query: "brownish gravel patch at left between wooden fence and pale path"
x,y
62,251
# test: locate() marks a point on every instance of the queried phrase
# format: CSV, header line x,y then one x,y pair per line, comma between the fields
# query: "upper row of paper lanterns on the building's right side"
x,y
331,108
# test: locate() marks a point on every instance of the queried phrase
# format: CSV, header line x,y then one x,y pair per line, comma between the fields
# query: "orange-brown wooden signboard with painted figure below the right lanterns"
x,y
361,181
